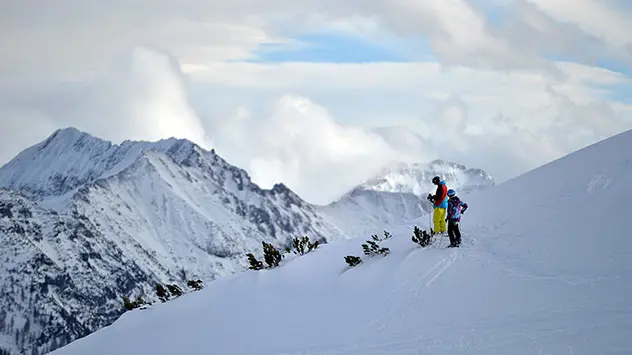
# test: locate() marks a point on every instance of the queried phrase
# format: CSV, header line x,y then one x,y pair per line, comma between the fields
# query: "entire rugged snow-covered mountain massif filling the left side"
x,y
169,211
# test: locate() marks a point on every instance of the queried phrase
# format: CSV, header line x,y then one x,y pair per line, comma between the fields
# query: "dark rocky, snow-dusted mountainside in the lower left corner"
x,y
60,278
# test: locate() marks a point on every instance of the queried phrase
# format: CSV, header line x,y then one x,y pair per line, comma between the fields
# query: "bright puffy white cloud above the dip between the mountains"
x,y
300,144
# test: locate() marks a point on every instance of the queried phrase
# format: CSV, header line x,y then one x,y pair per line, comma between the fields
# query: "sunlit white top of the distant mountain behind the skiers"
x,y
416,178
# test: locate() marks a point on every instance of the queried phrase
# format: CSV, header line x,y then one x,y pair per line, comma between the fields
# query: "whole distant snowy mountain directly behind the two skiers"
x,y
398,193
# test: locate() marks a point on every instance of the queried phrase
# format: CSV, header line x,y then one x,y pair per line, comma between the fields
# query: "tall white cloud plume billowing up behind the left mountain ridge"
x,y
141,97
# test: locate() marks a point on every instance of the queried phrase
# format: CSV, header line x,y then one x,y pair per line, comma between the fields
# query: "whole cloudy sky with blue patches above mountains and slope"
x,y
321,94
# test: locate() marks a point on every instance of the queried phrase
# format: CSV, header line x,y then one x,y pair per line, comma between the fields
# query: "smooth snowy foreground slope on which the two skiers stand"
x,y
544,269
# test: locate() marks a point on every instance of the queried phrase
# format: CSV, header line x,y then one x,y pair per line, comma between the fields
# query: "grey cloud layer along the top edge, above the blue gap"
x,y
460,33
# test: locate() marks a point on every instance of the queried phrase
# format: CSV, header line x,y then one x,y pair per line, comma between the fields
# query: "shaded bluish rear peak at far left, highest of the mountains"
x,y
51,172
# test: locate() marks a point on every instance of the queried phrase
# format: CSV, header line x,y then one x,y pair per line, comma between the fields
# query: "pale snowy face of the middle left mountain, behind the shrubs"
x,y
200,217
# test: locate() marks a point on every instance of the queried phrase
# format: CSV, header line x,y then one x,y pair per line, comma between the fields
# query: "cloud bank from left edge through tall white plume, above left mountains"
x,y
141,96
